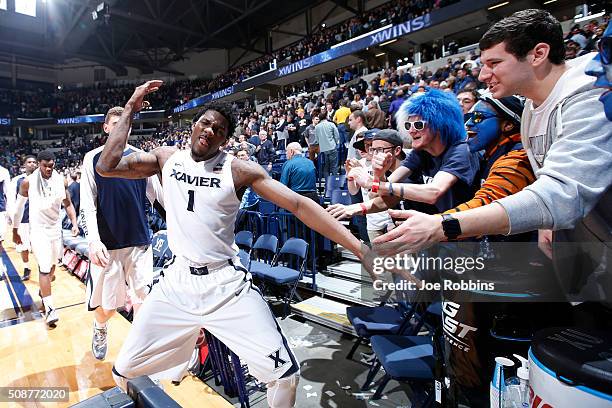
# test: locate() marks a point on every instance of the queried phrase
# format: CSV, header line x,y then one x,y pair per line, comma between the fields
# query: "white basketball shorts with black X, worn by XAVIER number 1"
x,y
224,302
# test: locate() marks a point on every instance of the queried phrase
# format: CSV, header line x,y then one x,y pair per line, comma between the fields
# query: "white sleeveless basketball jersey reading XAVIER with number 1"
x,y
201,207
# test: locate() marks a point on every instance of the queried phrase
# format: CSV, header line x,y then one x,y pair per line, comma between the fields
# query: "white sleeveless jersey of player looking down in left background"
x,y
45,197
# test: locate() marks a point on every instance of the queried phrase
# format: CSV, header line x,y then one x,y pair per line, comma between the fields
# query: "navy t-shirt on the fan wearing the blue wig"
x,y
456,160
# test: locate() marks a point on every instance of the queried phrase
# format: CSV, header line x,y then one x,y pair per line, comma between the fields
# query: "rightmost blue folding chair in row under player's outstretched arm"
x,y
285,276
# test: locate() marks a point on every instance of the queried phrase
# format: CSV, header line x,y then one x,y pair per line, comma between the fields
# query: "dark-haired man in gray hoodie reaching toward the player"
x,y
569,143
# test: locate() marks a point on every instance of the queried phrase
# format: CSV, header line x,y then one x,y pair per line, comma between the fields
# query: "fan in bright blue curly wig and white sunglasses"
x,y
440,170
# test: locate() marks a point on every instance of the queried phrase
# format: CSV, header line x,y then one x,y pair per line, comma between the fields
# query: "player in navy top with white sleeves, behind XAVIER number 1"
x,y
117,230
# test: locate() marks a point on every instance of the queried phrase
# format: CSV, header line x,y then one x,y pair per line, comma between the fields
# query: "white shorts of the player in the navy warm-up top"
x,y
107,286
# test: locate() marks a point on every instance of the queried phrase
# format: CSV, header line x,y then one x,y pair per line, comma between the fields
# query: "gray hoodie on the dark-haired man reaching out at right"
x,y
572,195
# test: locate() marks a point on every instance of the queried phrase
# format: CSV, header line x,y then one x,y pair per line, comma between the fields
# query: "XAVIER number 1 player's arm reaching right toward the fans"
x,y
247,173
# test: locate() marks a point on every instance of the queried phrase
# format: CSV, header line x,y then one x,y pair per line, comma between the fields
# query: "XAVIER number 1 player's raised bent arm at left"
x,y
137,165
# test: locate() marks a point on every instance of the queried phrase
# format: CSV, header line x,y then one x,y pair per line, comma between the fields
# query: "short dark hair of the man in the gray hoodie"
x,y
523,30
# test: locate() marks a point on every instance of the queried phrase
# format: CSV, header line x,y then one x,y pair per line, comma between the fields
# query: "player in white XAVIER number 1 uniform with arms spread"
x,y
204,285
